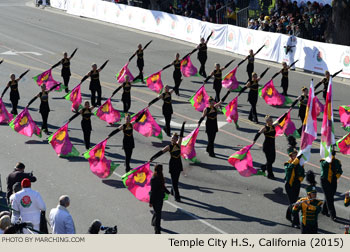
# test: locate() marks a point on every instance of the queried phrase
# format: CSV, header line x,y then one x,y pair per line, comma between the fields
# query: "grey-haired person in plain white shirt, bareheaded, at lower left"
x,y
60,219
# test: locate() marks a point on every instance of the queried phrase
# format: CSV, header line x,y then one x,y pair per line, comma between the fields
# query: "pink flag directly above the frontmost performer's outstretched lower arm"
x,y
147,126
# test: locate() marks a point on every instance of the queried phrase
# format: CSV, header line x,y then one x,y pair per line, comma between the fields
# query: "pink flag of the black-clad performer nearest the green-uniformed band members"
x,y
243,162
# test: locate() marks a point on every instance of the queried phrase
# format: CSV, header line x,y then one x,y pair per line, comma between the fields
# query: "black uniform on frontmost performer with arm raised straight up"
x,y
175,168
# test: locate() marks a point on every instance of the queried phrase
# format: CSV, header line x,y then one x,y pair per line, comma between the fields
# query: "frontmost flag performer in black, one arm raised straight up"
x,y
175,164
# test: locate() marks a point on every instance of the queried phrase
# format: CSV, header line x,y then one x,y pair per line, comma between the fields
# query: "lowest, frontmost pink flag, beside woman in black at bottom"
x,y
138,182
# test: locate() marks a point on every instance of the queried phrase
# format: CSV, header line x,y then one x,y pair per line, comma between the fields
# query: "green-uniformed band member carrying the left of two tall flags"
x,y
294,175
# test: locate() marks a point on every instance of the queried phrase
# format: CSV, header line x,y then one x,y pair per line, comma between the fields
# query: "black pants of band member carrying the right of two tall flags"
x,y
329,190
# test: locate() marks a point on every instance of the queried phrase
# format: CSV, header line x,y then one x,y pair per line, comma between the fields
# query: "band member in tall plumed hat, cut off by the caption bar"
x,y
310,207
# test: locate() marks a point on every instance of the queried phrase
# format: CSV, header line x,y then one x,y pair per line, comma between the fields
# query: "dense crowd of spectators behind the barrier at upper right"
x,y
308,21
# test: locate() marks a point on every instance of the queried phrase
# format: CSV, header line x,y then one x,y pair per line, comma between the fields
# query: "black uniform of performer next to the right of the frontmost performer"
x,y
211,127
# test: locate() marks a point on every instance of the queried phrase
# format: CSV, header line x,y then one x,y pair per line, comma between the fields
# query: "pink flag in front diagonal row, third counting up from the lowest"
x,y
61,144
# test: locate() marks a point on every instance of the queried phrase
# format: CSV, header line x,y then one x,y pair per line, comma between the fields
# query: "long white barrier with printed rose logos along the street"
x,y
312,56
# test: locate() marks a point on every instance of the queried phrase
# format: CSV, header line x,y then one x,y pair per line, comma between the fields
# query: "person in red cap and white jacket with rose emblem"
x,y
27,204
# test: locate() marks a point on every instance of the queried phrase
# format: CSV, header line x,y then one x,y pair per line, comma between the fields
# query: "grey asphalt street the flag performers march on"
x,y
216,199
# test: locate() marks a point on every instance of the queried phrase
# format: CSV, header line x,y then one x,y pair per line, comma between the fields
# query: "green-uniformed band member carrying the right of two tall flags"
x,y
330,173
